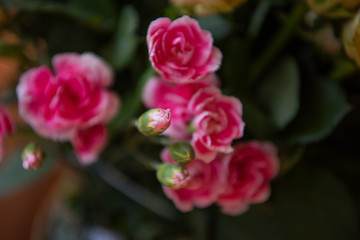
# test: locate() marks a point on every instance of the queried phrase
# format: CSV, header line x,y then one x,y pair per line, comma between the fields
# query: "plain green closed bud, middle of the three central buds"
x,y
181,152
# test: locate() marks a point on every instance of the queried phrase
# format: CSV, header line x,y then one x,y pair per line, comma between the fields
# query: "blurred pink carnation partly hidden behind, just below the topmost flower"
x,y
158,93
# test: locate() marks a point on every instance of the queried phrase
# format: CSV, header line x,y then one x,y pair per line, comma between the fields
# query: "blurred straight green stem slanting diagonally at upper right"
x,y
279,40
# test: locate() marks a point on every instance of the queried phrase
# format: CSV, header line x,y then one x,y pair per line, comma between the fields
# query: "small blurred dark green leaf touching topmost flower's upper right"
x,y
217,25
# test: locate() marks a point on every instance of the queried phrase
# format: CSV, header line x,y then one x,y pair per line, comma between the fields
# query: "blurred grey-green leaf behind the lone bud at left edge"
x,y
13,176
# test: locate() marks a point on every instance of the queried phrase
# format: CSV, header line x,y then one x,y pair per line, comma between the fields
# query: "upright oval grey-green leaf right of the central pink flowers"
x,y
279,92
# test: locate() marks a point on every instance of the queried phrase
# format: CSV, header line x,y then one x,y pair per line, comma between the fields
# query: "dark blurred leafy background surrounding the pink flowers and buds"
x,y
292,63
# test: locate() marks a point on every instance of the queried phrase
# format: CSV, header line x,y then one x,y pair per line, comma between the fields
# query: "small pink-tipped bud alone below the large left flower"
x,y
32,156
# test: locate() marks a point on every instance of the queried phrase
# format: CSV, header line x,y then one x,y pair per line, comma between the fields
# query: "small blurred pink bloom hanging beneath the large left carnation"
x,y
88,143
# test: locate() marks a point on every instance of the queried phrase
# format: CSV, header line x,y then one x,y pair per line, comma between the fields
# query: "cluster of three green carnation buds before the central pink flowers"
x,y
154,122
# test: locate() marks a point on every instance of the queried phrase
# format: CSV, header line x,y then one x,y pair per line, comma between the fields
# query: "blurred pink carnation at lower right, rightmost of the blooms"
x,y
251,167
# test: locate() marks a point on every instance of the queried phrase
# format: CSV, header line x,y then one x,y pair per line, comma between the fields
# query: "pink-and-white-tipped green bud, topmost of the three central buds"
x,y
154,121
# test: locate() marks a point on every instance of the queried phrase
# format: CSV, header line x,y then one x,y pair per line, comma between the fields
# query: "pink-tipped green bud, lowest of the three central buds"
x,y
173,176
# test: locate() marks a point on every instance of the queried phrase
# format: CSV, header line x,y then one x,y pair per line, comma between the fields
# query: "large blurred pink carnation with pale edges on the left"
x,y
73,99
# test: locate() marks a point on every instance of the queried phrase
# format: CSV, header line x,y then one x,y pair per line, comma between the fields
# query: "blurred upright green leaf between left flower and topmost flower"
x,y
122,48
